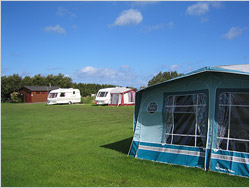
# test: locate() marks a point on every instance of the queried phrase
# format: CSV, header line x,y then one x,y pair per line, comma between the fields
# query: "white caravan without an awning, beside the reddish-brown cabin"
x,y
64,96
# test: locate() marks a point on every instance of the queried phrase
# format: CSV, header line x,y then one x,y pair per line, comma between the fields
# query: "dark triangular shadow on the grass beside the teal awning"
x,y
121,146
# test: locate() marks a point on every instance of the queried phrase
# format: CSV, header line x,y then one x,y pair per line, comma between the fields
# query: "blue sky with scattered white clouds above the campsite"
x,y
122,43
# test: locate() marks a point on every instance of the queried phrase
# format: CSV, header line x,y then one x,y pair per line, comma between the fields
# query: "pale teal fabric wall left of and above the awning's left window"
x,y
152,123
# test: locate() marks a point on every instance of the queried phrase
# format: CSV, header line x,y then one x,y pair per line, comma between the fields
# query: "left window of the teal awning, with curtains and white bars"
x,y
185,118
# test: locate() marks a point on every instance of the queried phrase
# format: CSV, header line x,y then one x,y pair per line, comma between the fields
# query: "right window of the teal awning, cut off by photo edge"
x,y
233,121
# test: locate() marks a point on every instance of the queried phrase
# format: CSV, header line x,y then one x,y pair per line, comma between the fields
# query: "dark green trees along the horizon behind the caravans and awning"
x,y
10,84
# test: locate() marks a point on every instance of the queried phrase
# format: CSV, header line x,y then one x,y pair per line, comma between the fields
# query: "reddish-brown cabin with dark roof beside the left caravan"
x,y
32,94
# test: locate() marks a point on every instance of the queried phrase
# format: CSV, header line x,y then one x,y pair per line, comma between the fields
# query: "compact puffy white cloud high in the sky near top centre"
x,y
127,17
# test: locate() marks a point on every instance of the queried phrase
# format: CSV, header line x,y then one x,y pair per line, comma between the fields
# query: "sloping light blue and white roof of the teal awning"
x,y
233,69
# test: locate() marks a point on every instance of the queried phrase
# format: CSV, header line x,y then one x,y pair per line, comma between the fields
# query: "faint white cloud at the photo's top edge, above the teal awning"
x,y
201,8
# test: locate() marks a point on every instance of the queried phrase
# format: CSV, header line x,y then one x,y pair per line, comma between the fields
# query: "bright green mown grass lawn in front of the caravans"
x,y
85,146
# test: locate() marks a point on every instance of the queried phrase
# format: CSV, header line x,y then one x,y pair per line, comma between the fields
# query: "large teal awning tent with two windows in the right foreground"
x,y
200,119
